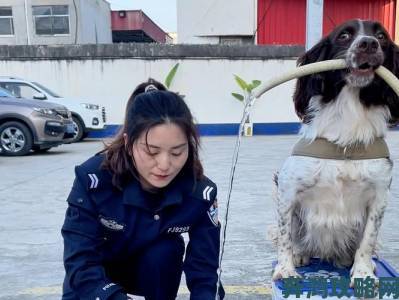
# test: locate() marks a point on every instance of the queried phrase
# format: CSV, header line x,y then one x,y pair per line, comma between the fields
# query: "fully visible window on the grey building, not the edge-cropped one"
x,y
51,19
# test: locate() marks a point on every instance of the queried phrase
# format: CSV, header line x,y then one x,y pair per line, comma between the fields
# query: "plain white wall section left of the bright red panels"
x,y
199,21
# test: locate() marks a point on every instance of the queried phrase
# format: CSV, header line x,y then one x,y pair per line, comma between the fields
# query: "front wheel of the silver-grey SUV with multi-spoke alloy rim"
x,y
15,139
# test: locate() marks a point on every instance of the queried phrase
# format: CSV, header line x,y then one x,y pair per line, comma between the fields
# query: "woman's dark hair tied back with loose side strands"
x,y
150,105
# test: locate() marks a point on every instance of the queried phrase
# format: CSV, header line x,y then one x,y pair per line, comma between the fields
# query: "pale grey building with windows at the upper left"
x,y
46,22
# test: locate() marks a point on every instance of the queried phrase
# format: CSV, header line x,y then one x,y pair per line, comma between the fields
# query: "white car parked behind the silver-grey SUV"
x,y
86,116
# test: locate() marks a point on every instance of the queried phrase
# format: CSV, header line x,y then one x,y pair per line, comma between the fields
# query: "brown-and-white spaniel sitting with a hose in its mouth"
x,y
332,208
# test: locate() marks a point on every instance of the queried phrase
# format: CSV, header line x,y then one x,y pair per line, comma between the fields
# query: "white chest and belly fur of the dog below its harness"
x,y
332,197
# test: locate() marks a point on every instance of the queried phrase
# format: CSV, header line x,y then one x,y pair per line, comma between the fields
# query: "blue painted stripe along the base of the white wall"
x,y
218,129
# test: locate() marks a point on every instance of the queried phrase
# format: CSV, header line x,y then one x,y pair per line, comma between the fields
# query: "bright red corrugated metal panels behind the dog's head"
x,y
284,22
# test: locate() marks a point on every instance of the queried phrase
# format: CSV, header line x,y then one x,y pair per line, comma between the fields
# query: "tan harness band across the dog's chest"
x,y
322,148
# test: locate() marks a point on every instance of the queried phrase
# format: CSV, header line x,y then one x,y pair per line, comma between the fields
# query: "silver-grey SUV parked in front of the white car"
x,y
27,125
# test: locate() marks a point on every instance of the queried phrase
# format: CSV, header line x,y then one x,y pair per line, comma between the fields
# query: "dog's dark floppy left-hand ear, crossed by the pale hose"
x,y
309,86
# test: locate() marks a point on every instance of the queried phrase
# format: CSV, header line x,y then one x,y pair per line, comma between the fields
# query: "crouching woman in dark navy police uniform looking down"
x,y
130,204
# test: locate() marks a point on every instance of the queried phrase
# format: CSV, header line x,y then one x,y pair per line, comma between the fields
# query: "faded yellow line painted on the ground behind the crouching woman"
x,y
229,289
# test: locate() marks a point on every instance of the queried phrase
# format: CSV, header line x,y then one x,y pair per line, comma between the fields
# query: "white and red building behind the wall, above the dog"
x,y
271,22
